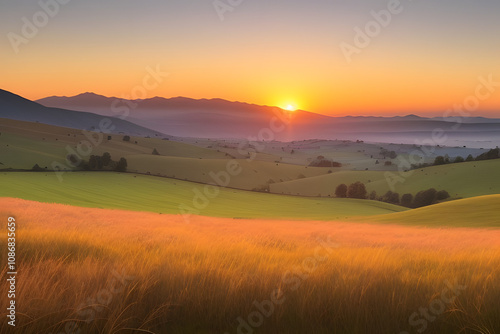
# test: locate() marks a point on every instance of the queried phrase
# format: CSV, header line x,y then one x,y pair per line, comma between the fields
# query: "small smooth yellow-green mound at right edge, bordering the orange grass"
x,y
482,211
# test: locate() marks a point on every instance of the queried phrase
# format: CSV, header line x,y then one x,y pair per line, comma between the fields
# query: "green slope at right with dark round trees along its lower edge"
x,y
467,179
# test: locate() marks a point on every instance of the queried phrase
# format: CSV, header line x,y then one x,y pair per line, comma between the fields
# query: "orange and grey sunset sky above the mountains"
x,y
334,57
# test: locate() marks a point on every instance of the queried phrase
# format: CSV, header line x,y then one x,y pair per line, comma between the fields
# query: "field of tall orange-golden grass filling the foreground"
x,y
84,270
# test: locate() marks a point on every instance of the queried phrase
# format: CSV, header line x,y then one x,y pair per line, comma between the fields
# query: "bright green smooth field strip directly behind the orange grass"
x,y
147,193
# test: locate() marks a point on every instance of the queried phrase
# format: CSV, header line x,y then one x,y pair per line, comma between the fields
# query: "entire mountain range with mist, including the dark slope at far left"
x,y
217,118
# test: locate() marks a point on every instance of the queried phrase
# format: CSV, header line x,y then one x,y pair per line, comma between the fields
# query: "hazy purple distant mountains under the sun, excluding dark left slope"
x,y
217,118
